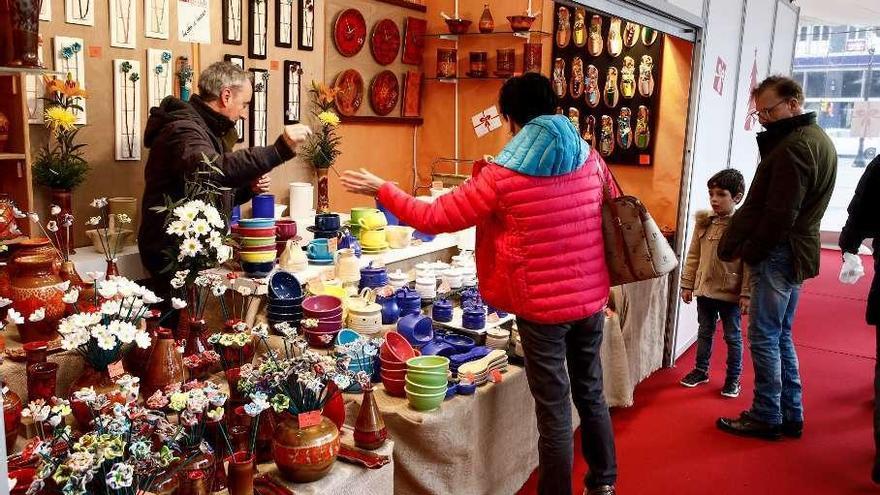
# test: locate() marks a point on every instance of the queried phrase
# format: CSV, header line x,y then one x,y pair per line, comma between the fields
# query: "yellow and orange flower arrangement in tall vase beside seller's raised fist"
x,y
322,148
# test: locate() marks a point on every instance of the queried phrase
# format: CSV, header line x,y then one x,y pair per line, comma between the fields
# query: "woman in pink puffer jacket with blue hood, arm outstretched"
x,y
538,211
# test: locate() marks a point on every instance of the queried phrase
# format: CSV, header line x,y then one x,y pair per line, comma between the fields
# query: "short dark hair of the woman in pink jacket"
x,y
525,97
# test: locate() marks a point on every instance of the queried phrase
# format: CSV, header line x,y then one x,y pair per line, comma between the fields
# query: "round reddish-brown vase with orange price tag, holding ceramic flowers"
x,y
306,454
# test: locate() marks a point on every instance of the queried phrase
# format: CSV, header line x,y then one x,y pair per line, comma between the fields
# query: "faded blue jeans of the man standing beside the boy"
x,y
778,392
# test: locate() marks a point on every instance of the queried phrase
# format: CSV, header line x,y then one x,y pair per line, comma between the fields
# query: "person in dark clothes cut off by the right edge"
x,y
863,223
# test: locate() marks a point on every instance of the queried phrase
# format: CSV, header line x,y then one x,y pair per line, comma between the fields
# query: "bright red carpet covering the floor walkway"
x,y
667,443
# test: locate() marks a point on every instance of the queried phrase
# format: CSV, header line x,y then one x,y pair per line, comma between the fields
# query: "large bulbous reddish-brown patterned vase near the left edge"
x,y
34,286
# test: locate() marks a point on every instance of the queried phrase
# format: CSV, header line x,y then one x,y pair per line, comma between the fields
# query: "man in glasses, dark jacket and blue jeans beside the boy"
x,y
776,232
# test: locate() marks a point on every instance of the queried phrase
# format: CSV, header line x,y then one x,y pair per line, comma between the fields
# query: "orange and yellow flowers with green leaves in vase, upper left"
x,y
60,164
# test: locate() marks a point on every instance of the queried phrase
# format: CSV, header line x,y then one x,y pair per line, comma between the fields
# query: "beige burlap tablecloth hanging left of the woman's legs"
x,y
486,443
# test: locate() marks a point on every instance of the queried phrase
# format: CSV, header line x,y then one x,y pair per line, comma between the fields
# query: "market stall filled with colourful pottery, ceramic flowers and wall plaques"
x,y
386,358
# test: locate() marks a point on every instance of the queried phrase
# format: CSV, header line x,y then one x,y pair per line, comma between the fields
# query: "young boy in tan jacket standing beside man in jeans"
x,y
721,288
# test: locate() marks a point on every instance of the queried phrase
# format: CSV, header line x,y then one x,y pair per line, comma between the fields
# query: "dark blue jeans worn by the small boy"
x,y
708,312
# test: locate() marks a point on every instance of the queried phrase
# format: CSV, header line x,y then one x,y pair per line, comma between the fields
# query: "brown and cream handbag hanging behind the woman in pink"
x,y
635,248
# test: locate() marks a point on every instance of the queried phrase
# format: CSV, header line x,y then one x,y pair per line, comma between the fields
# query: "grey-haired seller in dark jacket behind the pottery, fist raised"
x,y
179,133
